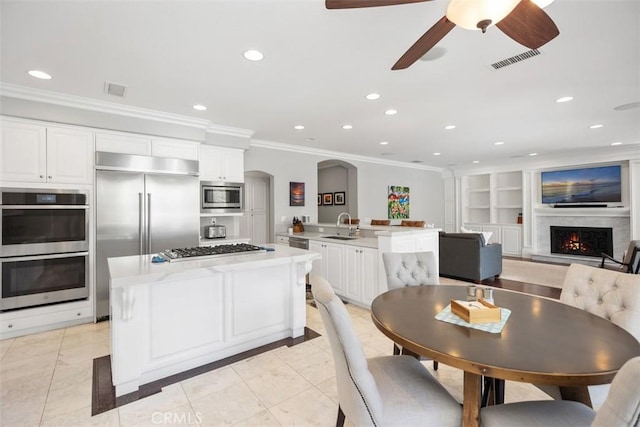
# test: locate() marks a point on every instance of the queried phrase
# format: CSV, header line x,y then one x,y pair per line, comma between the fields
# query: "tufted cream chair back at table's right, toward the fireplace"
x,y
609,294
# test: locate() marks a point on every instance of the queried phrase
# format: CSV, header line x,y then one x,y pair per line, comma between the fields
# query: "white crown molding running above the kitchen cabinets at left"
x,y
57,98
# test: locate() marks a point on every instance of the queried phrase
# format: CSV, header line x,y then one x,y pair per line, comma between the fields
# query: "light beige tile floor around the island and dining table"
x,y
46,379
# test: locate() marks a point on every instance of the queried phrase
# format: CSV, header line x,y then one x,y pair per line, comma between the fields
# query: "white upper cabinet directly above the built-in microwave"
x,y
221,164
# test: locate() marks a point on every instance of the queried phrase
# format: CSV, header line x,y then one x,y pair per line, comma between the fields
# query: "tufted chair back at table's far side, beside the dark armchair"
x,y
410,269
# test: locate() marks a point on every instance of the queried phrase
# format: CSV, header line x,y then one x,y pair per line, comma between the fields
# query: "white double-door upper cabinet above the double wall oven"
x,y
37,153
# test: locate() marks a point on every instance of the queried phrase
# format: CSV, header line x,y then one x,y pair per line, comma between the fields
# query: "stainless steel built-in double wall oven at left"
x,y
44,254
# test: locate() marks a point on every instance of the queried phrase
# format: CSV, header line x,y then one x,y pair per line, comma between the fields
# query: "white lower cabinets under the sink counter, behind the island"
x,y
352,271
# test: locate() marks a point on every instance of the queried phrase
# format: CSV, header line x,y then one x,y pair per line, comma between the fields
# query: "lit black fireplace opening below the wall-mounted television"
x,y
583,241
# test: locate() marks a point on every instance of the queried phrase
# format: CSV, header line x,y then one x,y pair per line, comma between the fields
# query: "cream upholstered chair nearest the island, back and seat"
x,y
380,391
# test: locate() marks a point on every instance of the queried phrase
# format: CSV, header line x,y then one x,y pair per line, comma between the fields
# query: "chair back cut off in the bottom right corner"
x,y
622,407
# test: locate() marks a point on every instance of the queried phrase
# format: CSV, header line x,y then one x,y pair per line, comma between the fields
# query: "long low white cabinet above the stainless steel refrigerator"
x,y
146,146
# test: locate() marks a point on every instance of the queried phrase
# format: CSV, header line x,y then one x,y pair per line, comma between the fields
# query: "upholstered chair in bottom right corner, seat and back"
x,y
620,409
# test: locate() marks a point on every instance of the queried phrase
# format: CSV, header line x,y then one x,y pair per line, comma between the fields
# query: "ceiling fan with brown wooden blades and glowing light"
x,y
522,20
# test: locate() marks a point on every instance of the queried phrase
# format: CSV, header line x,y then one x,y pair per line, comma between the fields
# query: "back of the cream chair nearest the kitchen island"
x,y
358,393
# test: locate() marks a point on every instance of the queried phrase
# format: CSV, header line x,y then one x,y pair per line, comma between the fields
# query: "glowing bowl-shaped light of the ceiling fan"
x,y
468,13
